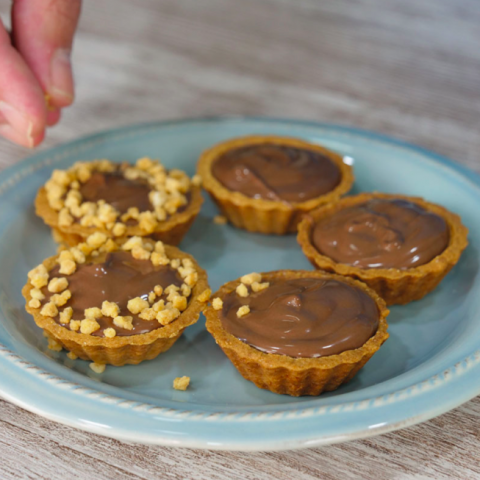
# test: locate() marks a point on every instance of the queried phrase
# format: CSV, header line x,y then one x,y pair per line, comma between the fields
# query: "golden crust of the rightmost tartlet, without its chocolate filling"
x,y
395,286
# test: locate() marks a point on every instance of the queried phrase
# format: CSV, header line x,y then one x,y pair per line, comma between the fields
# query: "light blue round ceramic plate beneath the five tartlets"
x,y
430,364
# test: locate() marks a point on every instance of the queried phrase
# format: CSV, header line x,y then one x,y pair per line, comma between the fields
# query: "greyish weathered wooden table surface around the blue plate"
x,y
407,68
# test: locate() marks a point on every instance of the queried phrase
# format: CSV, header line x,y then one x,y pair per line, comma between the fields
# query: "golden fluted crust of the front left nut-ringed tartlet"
x,y
122,350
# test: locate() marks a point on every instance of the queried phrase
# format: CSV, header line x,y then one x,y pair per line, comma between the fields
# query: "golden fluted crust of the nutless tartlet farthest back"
x,y
266,216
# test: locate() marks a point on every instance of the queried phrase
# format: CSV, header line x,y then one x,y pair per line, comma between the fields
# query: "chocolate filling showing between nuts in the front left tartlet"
x,y
115,277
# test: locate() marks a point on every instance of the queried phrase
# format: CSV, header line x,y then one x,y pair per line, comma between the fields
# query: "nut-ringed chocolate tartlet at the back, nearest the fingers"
x,y
119,200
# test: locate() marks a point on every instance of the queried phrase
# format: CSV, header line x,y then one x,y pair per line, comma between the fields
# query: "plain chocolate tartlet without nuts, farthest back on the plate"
x,y
266,183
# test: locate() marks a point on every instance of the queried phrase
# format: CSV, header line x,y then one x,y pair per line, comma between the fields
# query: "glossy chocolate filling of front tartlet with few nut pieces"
x,y
303,317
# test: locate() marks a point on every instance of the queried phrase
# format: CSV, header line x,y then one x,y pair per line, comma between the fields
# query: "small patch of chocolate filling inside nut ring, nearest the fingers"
x,y
116,190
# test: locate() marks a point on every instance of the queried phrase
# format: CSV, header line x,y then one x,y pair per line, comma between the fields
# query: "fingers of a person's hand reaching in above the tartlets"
x,y
36,79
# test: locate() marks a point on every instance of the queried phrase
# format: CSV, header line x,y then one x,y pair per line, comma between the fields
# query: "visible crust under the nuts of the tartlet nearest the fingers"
x,y
171,231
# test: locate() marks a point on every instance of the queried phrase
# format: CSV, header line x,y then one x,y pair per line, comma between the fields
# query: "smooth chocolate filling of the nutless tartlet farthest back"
x,y
277,172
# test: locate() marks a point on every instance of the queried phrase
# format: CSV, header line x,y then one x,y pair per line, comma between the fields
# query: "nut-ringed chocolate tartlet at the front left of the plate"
x,y
116,304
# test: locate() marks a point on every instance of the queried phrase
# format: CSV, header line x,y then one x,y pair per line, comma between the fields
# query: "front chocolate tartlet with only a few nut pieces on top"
x,y
297,332
